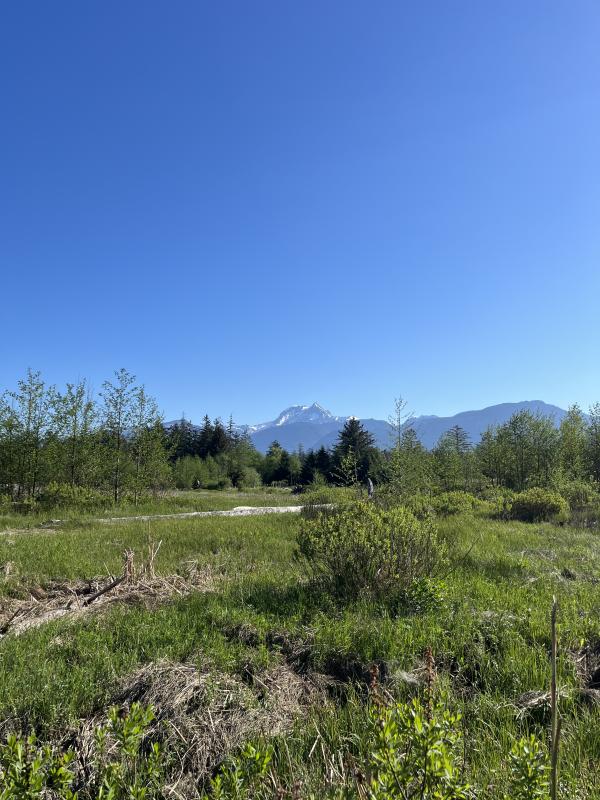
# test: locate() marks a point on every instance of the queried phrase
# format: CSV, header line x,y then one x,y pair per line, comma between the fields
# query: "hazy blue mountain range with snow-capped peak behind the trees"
x,y
313,426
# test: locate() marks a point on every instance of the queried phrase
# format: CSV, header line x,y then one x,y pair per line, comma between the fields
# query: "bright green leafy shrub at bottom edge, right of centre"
x,y
414,753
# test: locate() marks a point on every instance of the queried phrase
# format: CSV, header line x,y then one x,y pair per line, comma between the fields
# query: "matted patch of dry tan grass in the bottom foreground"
x,y
202,716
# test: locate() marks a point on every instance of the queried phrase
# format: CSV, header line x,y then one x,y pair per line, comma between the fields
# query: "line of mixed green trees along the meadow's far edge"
x,y
117,444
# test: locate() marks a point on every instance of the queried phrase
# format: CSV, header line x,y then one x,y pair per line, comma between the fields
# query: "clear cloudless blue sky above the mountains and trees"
x,y
254,204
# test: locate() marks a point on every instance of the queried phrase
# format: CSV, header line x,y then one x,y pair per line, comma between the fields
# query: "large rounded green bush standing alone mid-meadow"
x,y
364,550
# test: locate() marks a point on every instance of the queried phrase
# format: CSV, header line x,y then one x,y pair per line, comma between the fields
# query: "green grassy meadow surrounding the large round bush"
x,y
490,636
